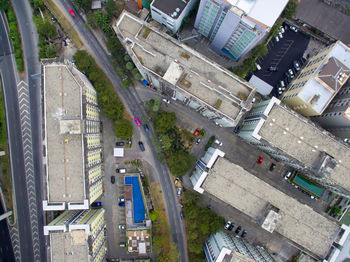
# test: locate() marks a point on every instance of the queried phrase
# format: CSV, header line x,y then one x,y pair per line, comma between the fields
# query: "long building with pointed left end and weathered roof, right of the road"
x,y
184,74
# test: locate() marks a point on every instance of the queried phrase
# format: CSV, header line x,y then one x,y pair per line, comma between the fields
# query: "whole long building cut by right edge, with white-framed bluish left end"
x,y
291,138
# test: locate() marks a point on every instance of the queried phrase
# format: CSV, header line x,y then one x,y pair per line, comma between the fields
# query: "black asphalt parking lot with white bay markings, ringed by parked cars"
x,y
281,55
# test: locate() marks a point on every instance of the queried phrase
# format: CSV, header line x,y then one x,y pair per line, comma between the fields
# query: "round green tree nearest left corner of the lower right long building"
x,y
180,163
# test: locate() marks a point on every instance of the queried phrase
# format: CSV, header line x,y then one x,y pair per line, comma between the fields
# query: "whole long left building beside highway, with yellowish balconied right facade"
x,y
72,138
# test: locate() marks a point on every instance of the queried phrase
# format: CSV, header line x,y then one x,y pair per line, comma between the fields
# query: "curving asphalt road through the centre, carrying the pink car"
x,y
132,102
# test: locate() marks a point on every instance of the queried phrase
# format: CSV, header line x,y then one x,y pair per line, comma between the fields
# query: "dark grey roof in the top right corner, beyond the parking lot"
x,y
325,18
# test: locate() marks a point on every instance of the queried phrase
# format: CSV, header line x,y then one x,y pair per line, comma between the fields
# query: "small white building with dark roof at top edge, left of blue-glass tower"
x,y
171,12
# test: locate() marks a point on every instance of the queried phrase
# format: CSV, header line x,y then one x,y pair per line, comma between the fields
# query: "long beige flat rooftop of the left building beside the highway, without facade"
x,y
64,134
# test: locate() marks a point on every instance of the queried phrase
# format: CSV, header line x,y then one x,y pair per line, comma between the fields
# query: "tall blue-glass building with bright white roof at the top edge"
x,y
236,26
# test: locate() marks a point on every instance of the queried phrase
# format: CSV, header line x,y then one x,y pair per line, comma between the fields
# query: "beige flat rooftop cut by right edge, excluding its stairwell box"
x,y
291,133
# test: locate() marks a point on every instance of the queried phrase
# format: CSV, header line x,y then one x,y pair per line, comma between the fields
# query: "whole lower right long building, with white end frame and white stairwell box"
x,y
272,209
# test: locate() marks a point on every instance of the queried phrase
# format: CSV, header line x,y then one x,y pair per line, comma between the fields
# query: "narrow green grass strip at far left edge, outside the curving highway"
x,y
4,160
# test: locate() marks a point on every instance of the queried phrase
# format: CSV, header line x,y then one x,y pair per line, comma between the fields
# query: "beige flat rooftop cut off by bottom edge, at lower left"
x,y
69,246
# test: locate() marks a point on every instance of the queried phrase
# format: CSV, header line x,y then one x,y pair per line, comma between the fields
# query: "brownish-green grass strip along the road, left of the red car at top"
x,y
64,22
